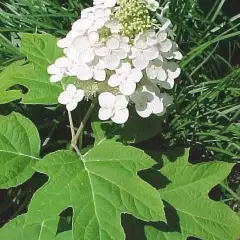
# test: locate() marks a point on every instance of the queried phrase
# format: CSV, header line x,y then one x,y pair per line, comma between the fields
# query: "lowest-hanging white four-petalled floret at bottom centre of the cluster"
x,y
114,107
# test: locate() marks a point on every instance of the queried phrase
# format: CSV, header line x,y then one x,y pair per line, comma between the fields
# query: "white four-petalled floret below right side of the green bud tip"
x,y
142,52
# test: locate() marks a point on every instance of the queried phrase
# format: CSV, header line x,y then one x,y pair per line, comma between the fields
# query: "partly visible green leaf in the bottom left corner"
x,y
15,230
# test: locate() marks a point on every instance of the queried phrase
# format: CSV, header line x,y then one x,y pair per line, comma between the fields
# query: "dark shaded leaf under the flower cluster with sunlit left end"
x,y
136,129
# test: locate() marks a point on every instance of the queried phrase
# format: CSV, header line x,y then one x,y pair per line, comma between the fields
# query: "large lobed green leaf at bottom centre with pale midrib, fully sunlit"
x,y
99,187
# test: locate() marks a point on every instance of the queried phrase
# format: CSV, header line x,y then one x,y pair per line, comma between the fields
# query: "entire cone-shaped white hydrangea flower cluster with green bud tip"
x,y
118,53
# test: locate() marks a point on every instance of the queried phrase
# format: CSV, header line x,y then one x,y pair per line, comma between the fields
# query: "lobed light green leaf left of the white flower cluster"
x,y
41,50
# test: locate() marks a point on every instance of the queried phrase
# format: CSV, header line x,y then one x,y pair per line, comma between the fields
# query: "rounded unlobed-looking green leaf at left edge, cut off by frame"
x,y
19,149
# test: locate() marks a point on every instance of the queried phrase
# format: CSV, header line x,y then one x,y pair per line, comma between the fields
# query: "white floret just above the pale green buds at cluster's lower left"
x,y
94,70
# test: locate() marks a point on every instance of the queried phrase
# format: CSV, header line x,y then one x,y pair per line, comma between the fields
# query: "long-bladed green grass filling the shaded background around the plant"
x,y
206,106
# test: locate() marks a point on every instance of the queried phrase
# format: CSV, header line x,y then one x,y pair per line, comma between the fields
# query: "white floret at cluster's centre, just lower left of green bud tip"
x,y
118,49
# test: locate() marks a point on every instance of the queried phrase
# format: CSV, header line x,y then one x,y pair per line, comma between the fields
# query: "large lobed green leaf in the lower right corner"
x,y
187,191
